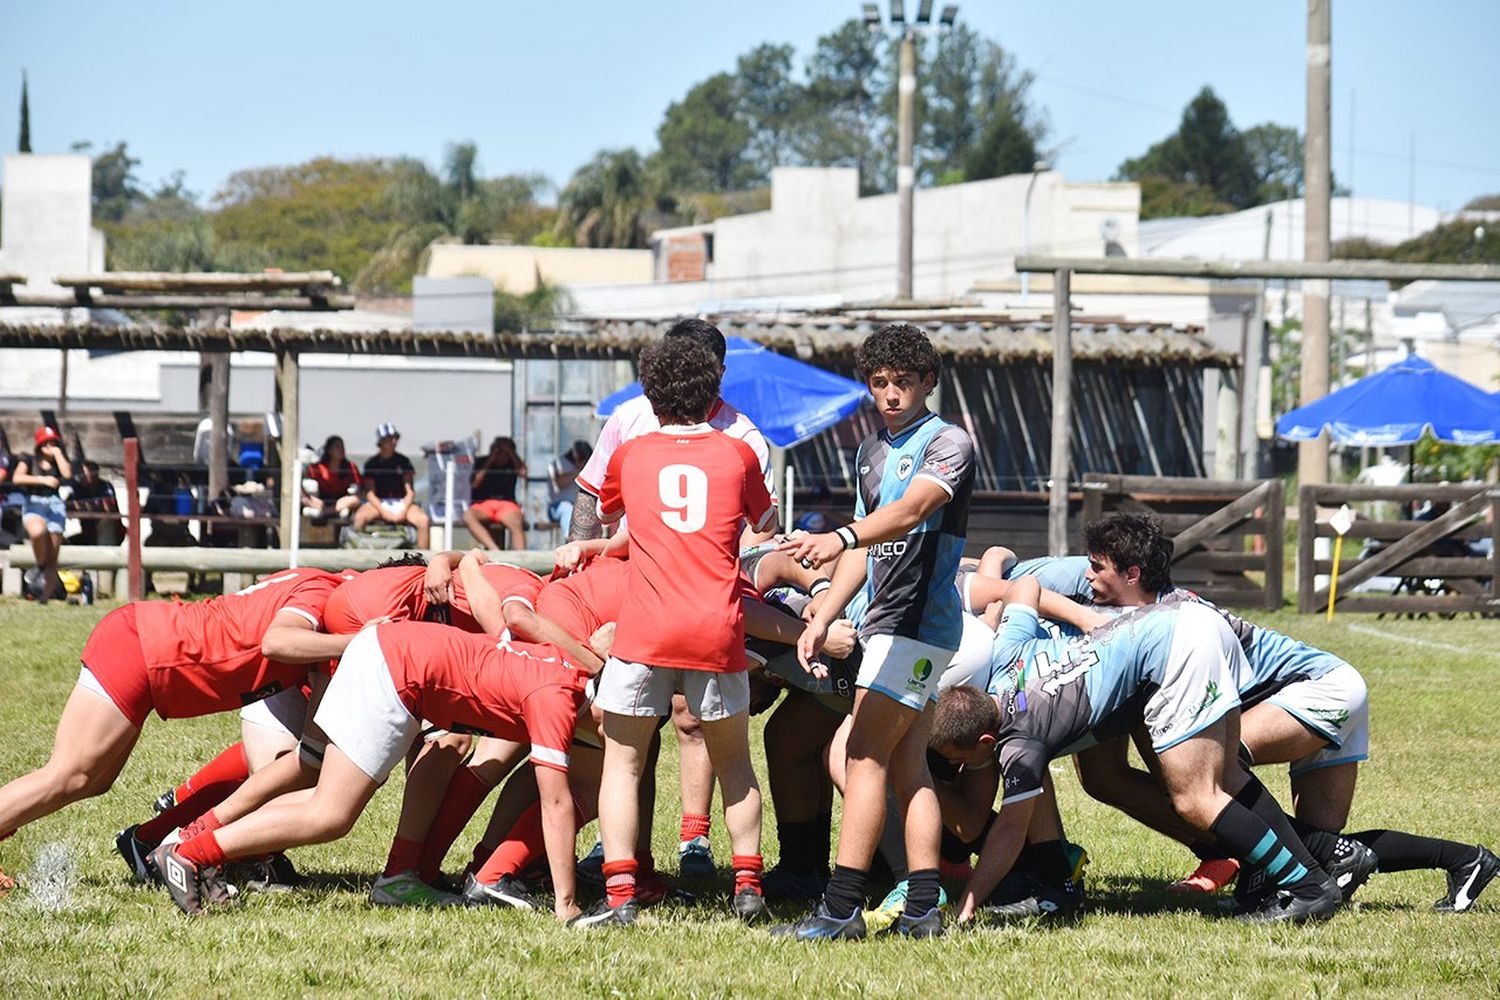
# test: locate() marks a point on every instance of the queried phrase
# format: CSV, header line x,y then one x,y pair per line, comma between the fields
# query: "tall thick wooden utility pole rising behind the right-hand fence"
x,y
1319,173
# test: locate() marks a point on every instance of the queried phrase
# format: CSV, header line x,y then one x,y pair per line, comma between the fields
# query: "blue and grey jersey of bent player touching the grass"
x,y
1061,696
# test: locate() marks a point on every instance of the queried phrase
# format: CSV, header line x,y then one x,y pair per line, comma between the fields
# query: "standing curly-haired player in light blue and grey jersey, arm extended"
x,y
916,479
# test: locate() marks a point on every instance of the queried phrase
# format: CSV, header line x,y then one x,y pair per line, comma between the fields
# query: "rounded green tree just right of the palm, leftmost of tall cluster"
x,y
704,143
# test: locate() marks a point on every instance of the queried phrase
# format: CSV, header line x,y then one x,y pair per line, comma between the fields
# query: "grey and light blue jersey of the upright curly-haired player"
x,y
910,587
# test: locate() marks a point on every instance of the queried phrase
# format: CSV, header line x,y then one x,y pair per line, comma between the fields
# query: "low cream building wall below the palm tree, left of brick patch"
x,y
515,269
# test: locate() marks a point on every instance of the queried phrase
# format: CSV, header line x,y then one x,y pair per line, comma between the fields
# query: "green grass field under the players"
x,y
1433,770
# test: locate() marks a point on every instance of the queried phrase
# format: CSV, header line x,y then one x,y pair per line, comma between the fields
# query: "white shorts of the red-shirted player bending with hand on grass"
x,y
362,714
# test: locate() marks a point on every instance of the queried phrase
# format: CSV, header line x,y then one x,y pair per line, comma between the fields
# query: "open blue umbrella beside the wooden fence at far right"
x,y
1396,407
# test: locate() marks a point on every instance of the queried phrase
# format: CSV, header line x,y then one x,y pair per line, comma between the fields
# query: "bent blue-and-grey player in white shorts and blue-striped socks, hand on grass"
x,y
1172,668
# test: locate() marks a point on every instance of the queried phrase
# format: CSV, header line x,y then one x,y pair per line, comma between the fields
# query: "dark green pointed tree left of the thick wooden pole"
x,y
1207,152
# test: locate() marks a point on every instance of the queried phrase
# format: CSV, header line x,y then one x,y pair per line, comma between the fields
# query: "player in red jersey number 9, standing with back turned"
x,y
688,490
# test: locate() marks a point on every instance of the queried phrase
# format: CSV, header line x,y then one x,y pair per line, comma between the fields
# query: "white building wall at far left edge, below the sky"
x,y
47,220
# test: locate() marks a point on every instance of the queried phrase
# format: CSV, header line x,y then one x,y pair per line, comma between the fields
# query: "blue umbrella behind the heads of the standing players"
x,y
790,401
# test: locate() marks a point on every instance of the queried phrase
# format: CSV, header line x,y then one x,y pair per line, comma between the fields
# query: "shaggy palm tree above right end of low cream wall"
x,y
608,202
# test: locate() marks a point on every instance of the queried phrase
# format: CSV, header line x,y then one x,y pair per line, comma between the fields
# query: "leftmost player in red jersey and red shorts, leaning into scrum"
x,y
178,660
